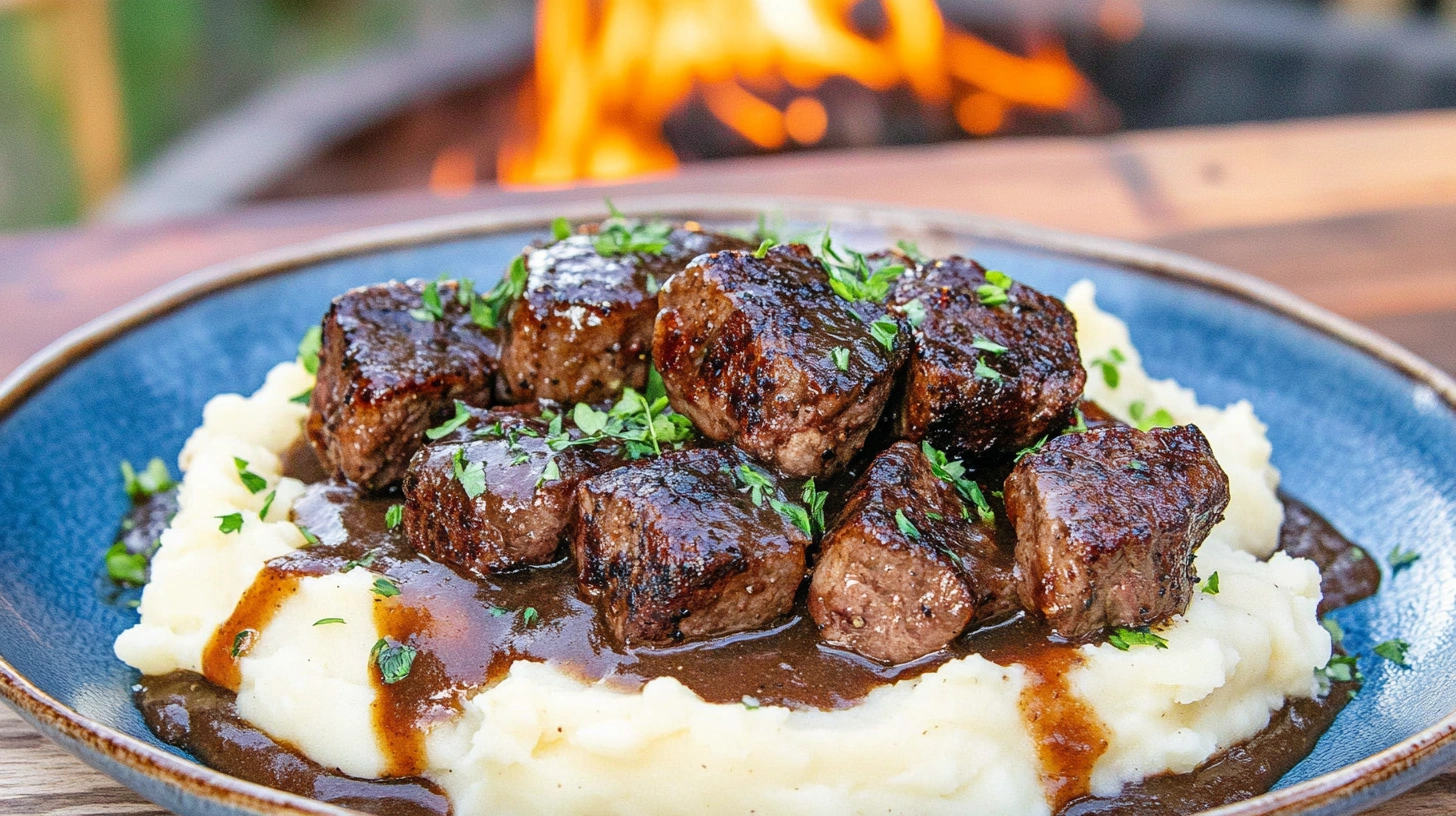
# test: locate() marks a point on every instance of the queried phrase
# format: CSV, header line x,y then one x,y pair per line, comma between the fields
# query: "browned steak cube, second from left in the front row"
x,y
685,547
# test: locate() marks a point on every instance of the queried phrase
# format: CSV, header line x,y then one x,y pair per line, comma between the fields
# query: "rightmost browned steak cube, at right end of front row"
x,y
1107,524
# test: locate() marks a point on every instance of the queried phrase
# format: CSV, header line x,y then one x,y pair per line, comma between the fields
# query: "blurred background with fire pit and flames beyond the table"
x,y
130,111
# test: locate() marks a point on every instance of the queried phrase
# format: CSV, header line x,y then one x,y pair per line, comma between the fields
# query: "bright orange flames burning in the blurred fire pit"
x,y
609,74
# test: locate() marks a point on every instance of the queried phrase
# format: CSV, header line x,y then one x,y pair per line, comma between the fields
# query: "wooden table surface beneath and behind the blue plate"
x,y
1355,215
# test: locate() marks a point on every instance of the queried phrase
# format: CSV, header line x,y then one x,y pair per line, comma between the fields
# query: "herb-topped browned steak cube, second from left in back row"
x,y
583,327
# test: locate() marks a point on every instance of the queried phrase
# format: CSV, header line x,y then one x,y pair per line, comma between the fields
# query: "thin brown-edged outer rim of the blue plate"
x,y
142,766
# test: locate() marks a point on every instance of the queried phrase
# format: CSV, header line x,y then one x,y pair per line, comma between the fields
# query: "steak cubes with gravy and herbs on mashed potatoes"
x,y
681,522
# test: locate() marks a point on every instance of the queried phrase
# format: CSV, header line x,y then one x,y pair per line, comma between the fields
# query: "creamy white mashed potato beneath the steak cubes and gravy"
x,y
544,742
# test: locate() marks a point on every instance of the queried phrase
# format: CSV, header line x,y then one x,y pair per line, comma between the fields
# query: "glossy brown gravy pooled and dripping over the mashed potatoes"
x,y
470,632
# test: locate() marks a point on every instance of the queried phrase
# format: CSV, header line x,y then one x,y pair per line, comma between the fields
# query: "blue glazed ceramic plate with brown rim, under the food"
x,y
1362,431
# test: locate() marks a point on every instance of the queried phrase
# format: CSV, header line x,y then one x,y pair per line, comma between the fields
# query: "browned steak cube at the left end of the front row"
x,y
523,479
